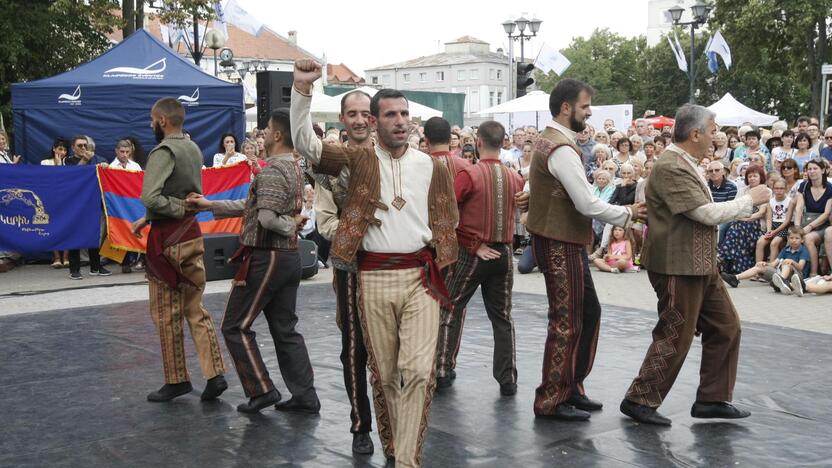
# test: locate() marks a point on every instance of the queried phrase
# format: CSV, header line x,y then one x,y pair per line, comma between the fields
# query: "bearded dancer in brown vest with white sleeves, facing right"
x,y
561,208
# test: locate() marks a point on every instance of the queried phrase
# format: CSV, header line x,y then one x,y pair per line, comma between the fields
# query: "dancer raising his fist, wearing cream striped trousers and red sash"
x,y
400,212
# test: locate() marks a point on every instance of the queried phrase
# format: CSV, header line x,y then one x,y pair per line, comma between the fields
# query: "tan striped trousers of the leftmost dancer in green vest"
x,y
170,307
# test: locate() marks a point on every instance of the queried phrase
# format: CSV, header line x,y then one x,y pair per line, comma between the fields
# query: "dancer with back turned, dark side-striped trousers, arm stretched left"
x,y
268,278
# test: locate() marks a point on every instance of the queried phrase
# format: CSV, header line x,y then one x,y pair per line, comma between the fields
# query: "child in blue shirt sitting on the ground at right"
x,y
786,272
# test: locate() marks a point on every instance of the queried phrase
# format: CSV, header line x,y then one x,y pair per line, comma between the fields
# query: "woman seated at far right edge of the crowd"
x,y
813,208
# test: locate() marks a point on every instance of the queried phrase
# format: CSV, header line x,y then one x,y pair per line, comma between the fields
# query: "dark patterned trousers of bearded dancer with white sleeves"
x,y
574,319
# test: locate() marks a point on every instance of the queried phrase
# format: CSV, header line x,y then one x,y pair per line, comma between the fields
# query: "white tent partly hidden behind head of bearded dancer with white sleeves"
x,y
533,109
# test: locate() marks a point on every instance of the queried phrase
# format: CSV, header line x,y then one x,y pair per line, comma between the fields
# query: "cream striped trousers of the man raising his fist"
x,y
400,323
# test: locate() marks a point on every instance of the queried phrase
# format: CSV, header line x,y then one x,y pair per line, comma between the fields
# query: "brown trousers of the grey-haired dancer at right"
x,y
690,304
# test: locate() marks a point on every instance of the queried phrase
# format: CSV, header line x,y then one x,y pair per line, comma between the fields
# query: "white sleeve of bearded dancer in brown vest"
x,y
567,167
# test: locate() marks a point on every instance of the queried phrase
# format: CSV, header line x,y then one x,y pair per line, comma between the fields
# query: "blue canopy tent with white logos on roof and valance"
x,y
110,97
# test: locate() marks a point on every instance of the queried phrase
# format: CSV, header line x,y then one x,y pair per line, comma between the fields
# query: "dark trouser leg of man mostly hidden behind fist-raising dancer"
x,y
353,352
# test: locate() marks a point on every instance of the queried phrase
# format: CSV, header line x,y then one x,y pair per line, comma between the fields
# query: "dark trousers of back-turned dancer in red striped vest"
x,y
495,278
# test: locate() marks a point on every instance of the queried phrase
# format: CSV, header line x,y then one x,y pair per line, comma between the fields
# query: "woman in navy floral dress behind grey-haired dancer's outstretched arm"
x,y
737,250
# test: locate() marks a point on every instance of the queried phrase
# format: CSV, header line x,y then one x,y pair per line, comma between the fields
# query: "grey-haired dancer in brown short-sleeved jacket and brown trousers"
x,y
680,256
